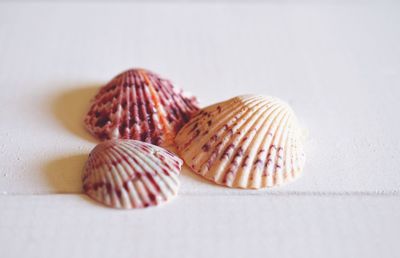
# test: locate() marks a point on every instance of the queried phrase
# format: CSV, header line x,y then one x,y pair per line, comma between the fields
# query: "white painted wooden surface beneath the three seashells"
x,y
336,63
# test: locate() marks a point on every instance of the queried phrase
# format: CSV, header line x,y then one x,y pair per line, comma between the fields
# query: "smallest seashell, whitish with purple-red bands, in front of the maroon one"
x,y
131,174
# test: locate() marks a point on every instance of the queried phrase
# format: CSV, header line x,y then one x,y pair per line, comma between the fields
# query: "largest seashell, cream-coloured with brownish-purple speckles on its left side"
x,y
245,142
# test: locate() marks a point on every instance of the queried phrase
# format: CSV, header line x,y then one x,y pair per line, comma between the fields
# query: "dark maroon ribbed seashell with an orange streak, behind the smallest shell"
x,y
140,105
